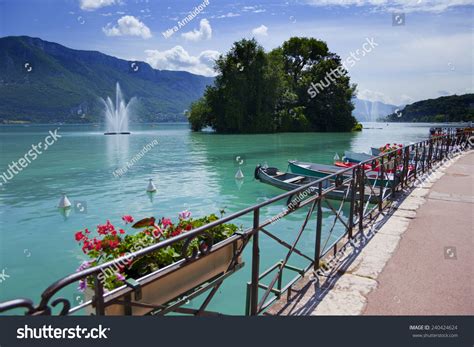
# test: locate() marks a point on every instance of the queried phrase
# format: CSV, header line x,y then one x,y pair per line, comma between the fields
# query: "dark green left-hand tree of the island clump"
x,y
244,95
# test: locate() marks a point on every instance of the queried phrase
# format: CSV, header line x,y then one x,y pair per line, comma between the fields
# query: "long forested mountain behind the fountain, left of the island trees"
x,y
45,82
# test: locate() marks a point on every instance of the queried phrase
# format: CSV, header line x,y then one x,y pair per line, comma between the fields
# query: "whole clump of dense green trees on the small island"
x,y
267,92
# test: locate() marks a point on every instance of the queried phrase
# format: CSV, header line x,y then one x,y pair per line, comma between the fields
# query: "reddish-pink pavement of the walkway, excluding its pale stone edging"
x,y
431,272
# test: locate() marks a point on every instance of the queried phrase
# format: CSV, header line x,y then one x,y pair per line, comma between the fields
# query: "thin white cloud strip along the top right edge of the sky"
x,y
435,6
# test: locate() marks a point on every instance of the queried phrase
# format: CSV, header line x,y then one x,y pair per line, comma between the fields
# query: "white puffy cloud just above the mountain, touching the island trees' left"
x,y
178,59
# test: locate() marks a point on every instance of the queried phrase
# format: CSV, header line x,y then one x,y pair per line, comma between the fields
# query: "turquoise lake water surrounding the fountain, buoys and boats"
x,y
193,171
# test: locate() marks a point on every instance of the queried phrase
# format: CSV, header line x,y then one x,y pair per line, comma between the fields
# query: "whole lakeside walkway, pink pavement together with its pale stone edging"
x,y
419,261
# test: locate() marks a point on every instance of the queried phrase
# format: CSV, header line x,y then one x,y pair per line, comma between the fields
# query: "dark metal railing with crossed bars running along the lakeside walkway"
x,y
365,196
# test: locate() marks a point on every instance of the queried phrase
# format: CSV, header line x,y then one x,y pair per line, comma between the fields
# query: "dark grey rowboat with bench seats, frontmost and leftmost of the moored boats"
x,y
289,181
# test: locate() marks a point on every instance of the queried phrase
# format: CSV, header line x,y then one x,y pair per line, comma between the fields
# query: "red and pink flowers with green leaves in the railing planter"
x,y
112,243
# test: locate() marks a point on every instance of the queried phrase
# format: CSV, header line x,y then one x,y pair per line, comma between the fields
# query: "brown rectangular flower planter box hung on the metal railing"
x,y
172,281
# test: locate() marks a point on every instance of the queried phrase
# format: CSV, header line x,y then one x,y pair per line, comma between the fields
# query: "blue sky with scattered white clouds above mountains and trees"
x,y
429,55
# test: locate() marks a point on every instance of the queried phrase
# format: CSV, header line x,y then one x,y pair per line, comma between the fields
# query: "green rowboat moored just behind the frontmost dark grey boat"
x,y
321,170
